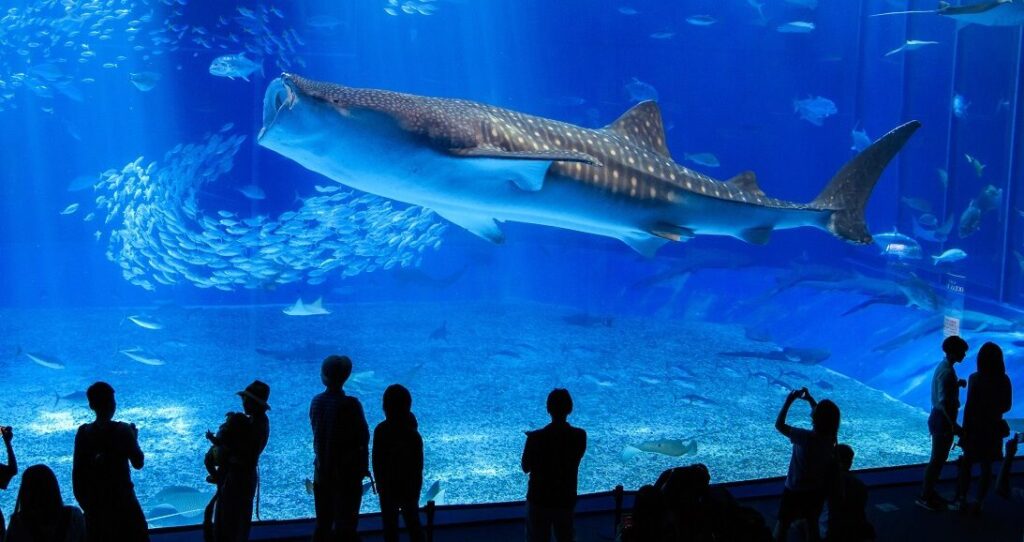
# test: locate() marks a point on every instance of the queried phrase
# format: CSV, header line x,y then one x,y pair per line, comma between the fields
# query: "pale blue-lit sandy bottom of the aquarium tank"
x,y
480,374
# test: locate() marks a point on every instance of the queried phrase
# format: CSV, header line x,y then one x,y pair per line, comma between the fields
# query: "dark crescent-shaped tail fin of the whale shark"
x,y
848,192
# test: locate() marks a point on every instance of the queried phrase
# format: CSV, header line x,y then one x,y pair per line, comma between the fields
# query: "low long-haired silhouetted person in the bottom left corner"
x,y
40,515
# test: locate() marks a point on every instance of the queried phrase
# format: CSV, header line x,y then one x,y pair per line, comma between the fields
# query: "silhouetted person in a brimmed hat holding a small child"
x,y
238,467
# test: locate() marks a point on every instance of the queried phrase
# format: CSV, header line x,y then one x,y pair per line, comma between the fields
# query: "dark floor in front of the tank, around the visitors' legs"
x,y
891,510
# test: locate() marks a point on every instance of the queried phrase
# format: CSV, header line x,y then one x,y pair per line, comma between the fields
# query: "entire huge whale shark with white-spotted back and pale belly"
x,y
478,165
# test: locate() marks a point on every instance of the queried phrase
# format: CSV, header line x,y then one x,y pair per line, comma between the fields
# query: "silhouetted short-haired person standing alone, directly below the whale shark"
x,y
552,457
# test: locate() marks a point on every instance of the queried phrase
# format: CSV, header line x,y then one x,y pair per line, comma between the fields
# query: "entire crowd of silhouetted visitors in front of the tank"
x,y
681,506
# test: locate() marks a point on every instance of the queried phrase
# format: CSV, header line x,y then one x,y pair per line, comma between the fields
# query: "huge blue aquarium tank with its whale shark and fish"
x,y
179,219
